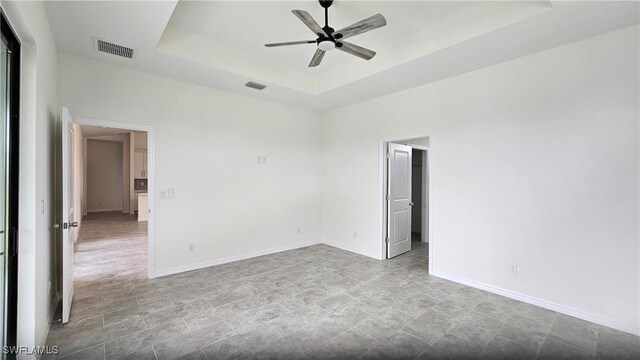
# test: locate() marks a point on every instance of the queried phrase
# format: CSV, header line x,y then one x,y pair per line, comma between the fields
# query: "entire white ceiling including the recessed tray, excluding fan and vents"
x,y
220,44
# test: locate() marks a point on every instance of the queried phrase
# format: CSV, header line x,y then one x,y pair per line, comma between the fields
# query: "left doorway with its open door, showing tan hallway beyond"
x,y
107,209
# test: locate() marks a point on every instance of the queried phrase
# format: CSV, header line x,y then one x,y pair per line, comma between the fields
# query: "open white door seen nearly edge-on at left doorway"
x,y
68,225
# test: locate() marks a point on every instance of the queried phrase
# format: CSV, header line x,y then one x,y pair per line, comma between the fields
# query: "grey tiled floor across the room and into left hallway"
x,y
317,302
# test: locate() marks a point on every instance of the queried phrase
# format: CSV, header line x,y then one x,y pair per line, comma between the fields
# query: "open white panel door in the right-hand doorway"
x,y
398,199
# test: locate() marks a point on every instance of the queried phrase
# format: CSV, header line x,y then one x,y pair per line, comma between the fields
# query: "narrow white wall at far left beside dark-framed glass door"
x,y
39,114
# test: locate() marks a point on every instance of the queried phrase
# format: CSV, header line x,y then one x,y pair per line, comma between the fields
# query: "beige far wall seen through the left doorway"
x,y
104,175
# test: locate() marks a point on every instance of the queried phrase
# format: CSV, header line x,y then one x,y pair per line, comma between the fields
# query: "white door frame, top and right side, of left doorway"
x,y
151,180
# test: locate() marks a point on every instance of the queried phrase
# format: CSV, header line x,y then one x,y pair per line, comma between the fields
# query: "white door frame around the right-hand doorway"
x,y
382,181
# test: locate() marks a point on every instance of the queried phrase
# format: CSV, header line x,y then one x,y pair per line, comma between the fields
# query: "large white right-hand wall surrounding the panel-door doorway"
x,y
535,162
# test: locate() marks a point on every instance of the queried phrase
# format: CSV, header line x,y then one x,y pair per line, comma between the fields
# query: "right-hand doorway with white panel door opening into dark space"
x,y
406,209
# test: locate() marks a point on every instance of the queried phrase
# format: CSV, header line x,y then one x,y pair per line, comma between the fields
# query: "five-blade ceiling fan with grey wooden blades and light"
x,y
329,39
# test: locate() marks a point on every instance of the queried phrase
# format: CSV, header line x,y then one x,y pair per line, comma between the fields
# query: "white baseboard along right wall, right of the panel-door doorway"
x,y
563,309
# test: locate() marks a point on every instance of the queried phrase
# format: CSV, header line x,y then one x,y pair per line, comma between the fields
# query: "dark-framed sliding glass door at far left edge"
x,y
9,120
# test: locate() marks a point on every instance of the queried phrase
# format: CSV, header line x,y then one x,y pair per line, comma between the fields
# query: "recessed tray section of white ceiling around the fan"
x,y
231,35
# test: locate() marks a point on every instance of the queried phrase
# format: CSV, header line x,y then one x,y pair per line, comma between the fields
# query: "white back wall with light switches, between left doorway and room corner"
x,y
207,142
